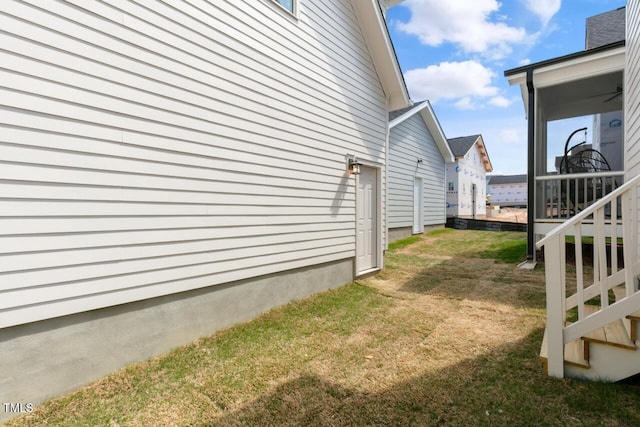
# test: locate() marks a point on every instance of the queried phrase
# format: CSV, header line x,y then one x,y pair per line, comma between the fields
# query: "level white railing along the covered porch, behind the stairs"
x,y
564,195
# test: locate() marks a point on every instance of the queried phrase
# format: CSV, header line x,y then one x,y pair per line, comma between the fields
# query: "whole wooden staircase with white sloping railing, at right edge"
x,y
582,338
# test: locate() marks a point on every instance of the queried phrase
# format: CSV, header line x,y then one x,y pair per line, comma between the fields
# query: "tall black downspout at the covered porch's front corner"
x,y
531,182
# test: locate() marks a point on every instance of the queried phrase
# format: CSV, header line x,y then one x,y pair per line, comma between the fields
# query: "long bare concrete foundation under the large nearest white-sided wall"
x,y
48,358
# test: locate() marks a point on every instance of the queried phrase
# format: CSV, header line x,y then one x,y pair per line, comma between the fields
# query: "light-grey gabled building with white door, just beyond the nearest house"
x,y
418,152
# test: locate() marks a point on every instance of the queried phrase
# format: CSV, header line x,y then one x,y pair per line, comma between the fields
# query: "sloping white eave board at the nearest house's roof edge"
x,y
374,28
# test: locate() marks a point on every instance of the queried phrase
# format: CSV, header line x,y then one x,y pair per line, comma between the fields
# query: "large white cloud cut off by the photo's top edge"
x,y
466,24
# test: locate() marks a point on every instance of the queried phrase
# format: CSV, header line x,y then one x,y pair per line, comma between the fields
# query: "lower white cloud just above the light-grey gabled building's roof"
x,y
453,81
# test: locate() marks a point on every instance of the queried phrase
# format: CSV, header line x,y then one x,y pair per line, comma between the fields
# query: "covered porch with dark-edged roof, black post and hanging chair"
x,y
574,109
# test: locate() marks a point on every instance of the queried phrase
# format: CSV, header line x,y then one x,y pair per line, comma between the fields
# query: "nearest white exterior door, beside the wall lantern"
x,y
367,234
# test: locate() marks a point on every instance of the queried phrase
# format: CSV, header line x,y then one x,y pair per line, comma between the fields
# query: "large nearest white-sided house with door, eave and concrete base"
x,y
169,170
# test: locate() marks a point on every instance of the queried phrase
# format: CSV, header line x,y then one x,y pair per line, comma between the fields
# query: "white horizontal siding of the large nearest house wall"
x,y
150,147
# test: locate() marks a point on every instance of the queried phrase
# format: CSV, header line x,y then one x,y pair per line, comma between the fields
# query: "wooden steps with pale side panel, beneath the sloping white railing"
x,y
608,353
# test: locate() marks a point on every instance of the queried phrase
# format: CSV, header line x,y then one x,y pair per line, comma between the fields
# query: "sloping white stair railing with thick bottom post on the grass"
x,y
619,206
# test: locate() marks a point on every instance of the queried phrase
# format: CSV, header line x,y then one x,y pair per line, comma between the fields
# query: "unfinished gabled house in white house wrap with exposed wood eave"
x,y
466,177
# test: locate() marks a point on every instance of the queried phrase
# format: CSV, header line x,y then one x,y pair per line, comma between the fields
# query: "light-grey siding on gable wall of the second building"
x,y
408,142
